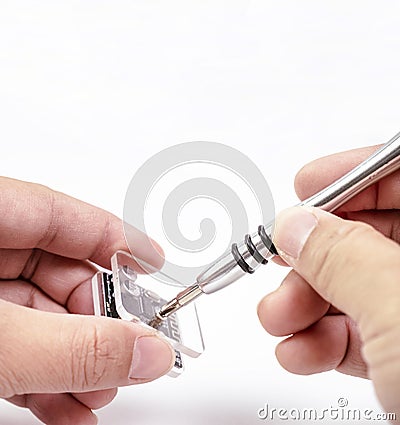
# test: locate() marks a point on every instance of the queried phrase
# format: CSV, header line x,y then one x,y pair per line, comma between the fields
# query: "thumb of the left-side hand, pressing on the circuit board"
x,y
45,352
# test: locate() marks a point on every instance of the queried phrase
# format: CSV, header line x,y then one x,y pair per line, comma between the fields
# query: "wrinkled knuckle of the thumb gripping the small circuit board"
x,y
94,355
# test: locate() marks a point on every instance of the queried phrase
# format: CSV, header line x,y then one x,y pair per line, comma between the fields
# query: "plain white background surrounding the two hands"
x,y
91,89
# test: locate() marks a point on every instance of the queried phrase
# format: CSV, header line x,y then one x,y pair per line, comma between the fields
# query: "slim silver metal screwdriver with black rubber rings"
x,y
257,248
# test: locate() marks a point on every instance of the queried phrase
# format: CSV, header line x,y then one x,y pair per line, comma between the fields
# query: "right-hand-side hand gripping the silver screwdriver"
x,y
342,300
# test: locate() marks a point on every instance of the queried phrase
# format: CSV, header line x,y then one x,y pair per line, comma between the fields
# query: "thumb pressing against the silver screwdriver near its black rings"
x,y
349,264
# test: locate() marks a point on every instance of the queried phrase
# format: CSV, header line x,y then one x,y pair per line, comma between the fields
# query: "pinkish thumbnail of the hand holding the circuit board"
x,y
152,358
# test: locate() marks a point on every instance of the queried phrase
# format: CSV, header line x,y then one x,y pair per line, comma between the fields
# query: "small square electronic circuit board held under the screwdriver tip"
x,y
118,295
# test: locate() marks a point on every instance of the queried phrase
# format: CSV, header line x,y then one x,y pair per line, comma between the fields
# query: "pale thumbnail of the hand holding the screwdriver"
x,y
292,229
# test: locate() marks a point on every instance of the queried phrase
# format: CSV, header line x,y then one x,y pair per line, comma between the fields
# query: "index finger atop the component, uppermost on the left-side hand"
x,y
34,216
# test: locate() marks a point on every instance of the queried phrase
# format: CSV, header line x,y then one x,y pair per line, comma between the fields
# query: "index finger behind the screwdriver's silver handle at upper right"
x,y
320,173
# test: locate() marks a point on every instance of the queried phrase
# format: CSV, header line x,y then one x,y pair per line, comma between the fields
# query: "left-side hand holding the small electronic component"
x,y
62,365
